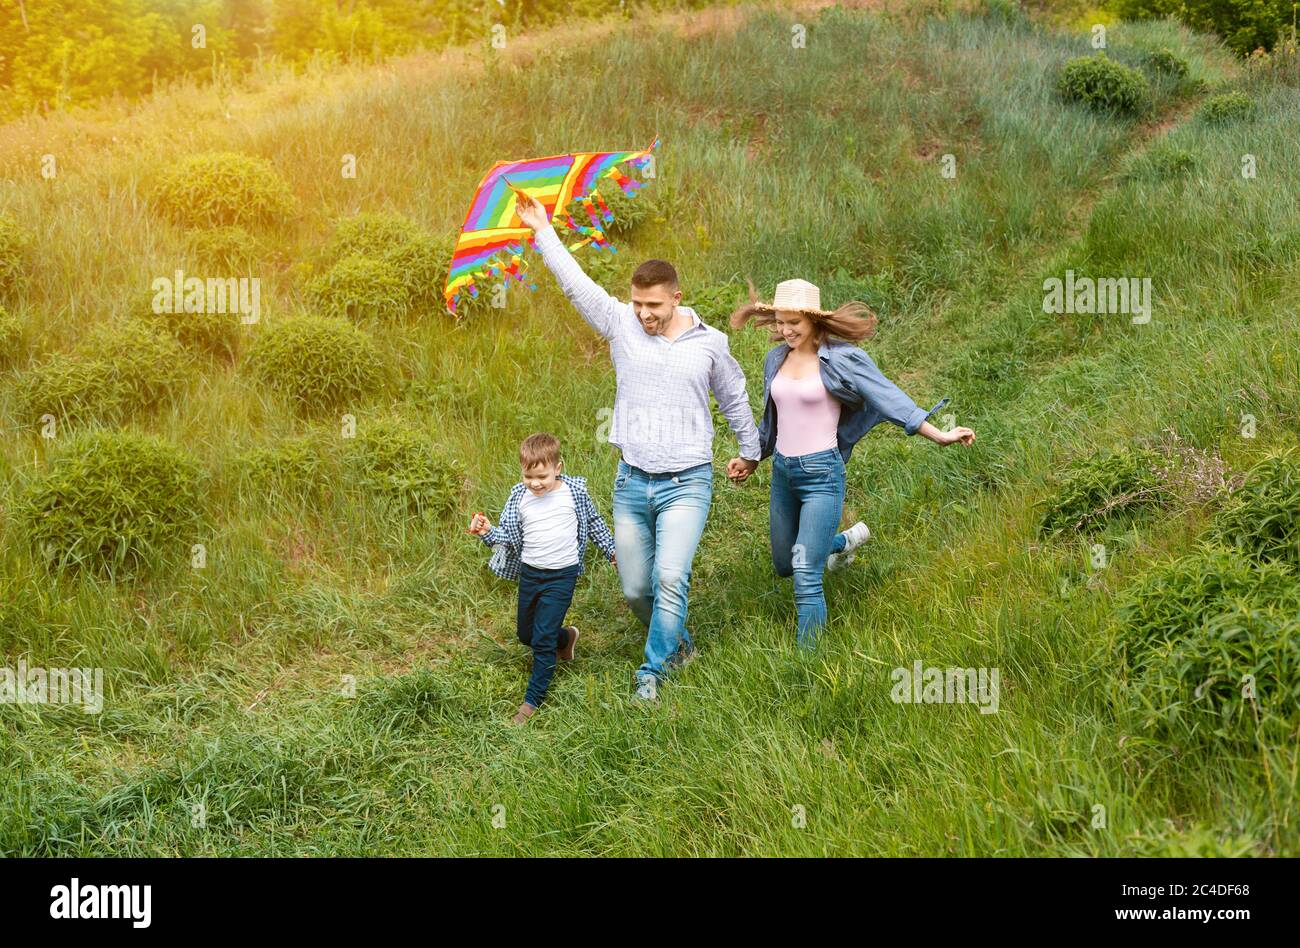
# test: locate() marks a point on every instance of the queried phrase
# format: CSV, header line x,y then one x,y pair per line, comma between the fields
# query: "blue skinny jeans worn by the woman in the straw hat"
x,y
804,517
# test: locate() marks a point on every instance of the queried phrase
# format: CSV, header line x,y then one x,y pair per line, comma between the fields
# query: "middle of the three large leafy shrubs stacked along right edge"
x,y
1168,603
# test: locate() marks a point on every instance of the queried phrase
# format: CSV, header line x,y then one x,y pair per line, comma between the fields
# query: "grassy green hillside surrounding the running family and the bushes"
x,y
227,685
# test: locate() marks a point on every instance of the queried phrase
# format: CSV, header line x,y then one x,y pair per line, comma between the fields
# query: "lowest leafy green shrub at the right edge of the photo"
x,y
1234,678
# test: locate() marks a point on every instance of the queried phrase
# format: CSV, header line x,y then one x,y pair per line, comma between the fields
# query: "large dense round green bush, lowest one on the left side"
x,y
114,500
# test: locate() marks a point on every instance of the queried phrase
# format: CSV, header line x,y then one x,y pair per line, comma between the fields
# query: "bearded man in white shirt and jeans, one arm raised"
x,y
666,363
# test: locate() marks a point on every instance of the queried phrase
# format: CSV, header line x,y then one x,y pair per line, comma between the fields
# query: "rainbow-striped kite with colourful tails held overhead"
x,y
493,232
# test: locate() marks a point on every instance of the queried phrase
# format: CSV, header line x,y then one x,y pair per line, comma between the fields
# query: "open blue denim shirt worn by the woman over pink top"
x,y
851,378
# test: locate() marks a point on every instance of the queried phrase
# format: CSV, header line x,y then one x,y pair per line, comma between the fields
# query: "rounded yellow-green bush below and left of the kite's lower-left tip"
x,y
317,363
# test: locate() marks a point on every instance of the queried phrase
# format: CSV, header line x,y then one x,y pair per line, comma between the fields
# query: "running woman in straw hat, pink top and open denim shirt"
x,y
821,396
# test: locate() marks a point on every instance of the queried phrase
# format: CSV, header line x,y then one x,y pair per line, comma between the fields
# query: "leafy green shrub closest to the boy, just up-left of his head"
x,y
398,465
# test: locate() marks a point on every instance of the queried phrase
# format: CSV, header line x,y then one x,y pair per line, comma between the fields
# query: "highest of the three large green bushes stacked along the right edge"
x,y
1263,517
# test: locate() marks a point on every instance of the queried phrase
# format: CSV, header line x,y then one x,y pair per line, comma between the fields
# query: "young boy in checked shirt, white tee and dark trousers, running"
x,y
541,543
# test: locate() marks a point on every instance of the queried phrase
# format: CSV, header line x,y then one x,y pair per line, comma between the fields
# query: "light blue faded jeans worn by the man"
x,y
658,521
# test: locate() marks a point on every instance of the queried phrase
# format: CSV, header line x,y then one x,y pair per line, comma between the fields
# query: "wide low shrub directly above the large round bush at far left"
x,y
118,370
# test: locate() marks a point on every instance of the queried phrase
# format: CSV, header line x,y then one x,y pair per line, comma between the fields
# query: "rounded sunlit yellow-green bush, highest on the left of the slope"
x,y
224,189
